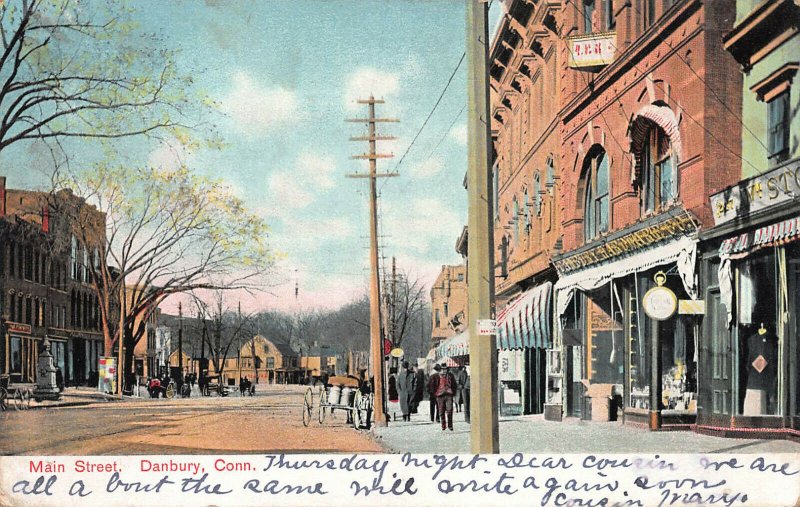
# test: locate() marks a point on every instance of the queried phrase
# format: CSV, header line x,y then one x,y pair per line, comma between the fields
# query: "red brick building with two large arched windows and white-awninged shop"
x,y
647,136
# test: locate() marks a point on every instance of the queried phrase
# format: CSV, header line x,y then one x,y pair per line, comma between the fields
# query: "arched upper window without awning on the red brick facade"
x,y
596,198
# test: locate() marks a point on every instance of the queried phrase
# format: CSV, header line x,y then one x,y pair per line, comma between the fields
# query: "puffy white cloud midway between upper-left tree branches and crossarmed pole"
x,y
256,109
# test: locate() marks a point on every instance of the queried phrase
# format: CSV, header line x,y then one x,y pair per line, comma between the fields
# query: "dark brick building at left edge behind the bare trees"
x,y
45,283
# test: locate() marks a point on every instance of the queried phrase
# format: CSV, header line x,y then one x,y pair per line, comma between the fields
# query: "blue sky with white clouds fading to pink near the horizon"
x,y
286,74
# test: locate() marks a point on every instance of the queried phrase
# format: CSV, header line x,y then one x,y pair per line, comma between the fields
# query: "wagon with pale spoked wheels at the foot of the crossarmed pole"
x,y
341,392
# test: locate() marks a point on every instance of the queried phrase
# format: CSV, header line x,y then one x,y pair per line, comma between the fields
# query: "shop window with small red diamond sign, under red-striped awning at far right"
x,y
757,299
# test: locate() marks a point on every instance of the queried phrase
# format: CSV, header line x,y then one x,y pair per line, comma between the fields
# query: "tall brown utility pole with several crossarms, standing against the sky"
x,y
376,342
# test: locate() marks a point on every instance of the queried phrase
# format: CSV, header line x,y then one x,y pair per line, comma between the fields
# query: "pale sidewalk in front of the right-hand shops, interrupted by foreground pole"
x,y
532,434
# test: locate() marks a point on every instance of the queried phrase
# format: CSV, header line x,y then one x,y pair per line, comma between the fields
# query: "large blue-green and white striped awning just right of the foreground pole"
x,y
524,322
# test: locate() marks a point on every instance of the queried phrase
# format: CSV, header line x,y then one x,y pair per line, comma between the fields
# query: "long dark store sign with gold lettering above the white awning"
x,y
638,240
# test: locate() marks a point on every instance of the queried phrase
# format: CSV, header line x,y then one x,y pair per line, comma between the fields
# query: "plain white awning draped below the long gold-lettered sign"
x,y
683,252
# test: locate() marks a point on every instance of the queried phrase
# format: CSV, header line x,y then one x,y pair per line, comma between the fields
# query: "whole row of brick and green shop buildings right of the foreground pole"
x,y
646,183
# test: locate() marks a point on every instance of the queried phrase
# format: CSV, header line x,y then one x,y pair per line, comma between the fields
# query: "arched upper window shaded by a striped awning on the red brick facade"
x,y
658,170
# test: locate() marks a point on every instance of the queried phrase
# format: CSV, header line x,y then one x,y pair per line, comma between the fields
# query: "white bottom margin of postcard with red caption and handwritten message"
x,y
508,479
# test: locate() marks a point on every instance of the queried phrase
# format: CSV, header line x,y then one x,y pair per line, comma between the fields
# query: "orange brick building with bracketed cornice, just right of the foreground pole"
x,y
525,75
